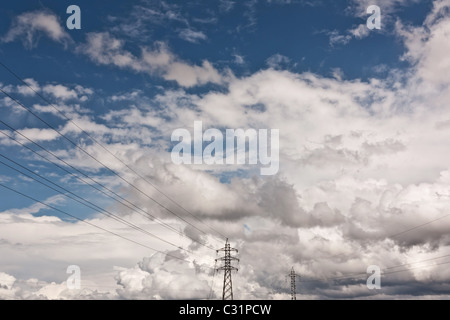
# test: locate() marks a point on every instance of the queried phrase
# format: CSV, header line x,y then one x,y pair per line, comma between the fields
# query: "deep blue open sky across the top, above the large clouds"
x,y
254,31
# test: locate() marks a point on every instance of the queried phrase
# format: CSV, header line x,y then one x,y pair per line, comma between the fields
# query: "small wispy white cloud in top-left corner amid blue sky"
x,y
30,25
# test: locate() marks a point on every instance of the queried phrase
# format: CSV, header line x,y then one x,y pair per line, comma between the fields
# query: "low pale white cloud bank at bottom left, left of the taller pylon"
x,y
43,247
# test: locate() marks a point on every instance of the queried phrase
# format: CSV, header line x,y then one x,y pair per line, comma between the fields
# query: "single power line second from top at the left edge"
x,y
101,163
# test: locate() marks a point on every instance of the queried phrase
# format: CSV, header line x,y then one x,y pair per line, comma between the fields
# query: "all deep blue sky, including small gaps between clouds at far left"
x,y
241,36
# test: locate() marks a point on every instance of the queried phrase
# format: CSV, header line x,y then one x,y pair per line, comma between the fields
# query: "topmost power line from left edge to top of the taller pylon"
x,y
106,149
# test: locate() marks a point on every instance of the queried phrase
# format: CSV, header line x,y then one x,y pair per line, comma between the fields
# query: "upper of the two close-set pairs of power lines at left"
x,y
126,204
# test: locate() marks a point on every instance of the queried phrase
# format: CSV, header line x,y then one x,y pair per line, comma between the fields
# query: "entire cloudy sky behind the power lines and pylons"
x,y
364,127
